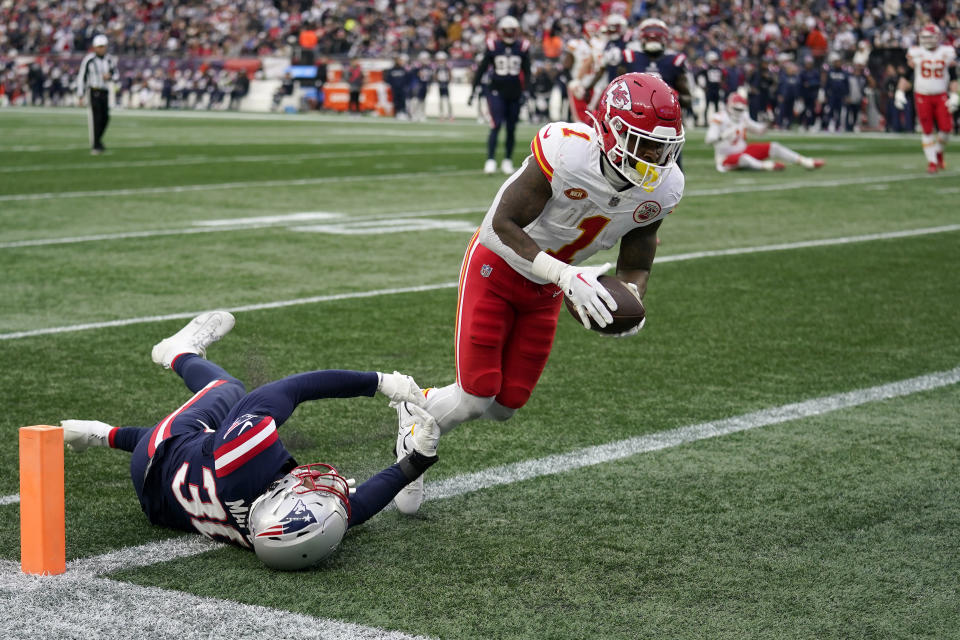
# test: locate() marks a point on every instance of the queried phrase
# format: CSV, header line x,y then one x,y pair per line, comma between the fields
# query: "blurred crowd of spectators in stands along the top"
x,y
781,51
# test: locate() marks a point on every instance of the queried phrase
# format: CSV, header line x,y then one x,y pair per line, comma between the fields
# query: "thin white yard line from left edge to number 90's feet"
x,y
231,185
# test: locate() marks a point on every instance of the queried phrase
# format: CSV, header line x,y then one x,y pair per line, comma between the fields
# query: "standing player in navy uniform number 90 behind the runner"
x,y
508,56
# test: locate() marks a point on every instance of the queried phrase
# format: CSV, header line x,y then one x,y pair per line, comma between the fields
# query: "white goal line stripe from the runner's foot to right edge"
x,y
609,452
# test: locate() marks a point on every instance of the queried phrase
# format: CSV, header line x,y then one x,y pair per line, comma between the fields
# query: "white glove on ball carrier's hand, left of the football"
x,y
580,285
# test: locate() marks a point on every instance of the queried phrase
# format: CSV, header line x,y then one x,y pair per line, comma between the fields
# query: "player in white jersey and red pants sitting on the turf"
x,y
728,133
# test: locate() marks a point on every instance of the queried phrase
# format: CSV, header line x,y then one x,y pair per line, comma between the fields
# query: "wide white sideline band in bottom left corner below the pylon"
x,y
74,605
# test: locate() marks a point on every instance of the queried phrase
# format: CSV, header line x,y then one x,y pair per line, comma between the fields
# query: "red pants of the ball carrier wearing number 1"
x,y
505,328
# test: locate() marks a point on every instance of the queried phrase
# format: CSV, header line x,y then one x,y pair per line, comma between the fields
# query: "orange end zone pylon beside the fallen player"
x,y
42,526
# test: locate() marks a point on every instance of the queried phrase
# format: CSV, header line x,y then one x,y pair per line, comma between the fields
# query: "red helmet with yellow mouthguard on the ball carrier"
x,y
639,128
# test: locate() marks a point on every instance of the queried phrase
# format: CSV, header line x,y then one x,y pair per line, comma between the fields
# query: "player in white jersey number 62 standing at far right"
x,y
932,64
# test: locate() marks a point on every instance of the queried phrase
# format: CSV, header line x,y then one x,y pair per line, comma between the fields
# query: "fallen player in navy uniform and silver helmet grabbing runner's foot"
x,y
216,466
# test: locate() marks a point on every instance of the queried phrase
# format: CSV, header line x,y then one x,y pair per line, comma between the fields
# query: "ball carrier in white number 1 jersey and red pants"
x,y
584,188
